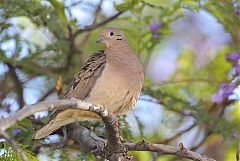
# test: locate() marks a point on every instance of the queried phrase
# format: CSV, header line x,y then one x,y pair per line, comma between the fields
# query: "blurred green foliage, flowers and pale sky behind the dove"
x,y
190,51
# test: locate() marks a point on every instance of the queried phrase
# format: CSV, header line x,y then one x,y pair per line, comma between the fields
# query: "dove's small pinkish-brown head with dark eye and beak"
x,y
111,37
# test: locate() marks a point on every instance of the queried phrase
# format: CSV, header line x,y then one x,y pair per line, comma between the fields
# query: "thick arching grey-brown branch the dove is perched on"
x,y
113,149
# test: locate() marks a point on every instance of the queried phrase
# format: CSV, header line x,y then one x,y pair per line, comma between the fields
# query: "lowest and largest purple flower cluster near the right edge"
x,y
223,92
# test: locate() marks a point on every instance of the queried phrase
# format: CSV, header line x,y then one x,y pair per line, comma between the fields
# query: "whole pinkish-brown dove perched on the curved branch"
x,y
112,78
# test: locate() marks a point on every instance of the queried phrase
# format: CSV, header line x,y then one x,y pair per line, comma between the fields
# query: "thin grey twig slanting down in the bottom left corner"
x,y
15,146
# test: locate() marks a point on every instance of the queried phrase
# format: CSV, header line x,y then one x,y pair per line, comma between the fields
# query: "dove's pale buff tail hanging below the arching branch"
x,y
62,118
